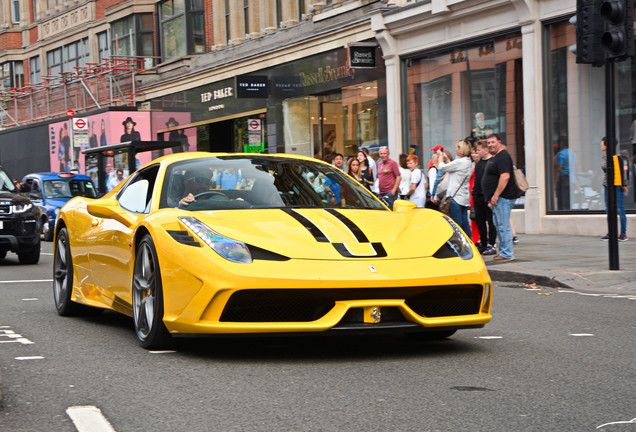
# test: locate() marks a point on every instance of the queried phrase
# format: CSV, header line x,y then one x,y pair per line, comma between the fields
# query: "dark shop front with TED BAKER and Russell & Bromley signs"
x,y
315,106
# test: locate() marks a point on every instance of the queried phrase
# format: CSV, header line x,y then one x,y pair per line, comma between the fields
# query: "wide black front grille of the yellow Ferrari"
x,y
300,305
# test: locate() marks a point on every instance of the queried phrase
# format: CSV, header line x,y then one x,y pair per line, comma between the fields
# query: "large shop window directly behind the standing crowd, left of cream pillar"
x,y
472,90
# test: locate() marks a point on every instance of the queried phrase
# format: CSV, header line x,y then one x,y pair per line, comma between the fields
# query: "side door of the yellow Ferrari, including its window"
x,y
110,255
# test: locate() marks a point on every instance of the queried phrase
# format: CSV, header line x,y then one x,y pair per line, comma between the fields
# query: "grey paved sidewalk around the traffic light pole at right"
x,y
578,262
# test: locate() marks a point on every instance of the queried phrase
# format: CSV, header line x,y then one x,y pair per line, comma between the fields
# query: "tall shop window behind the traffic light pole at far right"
x,y
575,124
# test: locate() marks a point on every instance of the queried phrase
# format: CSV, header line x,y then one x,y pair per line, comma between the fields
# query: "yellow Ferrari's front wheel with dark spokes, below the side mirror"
x,y
147,296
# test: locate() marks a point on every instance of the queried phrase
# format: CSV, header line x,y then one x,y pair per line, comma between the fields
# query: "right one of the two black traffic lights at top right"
x,y
618,35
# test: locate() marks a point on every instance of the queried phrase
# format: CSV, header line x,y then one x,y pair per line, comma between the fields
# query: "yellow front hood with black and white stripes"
x,y
334,233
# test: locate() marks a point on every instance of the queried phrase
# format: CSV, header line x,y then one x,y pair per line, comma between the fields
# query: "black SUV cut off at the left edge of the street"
x,y
19,223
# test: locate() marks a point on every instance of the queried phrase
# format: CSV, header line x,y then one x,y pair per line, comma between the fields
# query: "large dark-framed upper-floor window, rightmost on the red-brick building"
x,y
182,28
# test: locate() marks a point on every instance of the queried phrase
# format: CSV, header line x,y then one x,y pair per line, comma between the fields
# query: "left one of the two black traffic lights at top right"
x,y
589,30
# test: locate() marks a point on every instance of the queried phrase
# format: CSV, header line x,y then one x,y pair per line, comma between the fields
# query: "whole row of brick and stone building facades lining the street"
x,y
315,77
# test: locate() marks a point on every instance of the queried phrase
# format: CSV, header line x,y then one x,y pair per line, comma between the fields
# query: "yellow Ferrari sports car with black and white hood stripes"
x,y
204,243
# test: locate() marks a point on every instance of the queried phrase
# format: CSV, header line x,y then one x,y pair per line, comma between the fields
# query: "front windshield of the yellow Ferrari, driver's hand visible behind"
x,y
243,182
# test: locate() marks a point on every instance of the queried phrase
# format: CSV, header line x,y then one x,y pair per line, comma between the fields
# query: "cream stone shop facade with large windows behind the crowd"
x,y
506,68
